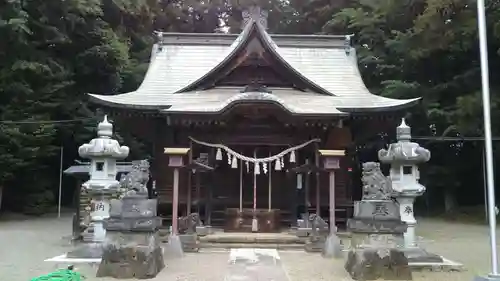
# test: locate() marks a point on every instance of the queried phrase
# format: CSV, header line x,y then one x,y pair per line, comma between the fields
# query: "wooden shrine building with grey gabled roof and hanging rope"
x,y
232,98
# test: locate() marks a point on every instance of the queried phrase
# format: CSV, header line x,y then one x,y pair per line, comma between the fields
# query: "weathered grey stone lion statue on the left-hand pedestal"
x,y
136,181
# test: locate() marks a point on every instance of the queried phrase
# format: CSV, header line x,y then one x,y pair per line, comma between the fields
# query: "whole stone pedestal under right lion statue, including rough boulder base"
x,y
376,242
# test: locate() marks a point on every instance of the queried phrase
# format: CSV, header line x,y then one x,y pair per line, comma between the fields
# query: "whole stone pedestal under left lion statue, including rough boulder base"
x,y
132,248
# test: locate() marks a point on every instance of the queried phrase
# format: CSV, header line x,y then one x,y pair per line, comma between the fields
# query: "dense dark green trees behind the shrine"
x,y
53,52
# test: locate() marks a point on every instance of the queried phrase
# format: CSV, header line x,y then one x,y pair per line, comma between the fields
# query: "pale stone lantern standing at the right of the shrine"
x,y
404,157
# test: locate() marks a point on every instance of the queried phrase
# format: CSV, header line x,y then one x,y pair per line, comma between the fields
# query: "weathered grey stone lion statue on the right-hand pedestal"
x,y
376,186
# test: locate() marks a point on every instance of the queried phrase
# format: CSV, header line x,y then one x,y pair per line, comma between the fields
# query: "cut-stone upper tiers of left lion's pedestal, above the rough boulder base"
x,y
133,213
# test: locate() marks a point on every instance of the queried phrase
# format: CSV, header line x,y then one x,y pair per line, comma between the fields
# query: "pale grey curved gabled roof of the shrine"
x,y
182,60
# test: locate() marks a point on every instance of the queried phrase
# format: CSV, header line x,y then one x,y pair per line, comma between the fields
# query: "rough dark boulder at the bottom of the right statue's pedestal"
x,y
377,263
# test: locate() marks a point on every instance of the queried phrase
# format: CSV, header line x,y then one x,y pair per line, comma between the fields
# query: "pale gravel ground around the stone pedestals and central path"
x,y
27,242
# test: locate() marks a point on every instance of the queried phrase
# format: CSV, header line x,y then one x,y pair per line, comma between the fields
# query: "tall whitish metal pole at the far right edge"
x,y
483,45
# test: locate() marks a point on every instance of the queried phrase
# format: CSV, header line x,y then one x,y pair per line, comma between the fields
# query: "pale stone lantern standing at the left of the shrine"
x,y
103,152
